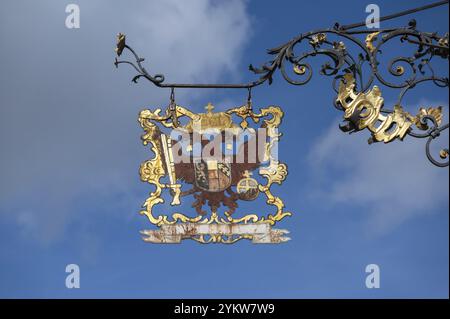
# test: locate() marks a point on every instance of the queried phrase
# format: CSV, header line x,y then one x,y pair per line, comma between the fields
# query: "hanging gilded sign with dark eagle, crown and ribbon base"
x,y
216,159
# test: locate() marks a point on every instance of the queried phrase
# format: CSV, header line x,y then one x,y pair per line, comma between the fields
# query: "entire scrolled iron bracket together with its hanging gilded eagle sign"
x,y
221,183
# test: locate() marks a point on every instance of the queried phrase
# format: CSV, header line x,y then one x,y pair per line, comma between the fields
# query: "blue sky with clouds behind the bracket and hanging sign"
x,y
70,152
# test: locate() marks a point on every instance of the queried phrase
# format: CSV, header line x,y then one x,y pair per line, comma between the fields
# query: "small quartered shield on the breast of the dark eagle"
x,y
212,175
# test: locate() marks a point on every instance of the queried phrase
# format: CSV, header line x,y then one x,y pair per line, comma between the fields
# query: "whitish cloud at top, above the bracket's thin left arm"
x,y
197,40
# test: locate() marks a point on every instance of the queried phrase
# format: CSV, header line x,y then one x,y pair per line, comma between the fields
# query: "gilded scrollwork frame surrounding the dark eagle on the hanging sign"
x,y
152,170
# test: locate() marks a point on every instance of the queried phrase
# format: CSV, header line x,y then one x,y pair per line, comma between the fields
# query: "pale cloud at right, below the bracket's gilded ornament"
x,y
390,183
